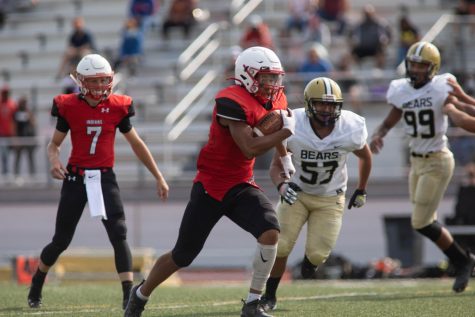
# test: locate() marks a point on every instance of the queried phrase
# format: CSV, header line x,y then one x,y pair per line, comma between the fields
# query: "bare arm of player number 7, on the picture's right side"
x,y
143,153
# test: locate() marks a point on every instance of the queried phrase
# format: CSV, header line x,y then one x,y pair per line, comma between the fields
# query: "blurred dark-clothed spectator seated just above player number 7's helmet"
x,y
80,43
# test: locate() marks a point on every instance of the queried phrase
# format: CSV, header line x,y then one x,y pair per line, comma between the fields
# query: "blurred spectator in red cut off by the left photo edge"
x,y
7,126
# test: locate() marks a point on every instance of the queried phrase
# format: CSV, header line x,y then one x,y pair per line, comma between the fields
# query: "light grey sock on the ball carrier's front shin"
x,y
264,259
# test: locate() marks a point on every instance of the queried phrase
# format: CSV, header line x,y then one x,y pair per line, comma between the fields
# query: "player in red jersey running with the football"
x,y
224,184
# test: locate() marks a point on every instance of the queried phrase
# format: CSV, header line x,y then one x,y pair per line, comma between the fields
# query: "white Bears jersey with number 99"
x,y
424,121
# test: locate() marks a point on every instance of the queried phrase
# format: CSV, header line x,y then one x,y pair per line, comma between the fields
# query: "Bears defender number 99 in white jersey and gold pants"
x,y
419,101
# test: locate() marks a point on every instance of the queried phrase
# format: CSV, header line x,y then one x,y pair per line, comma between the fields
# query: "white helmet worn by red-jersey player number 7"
x,y
94,76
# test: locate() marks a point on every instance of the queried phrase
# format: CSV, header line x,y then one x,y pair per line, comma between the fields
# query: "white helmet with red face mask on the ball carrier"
x,y
261,61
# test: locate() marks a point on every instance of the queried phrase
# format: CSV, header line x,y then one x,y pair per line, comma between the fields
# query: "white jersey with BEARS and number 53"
x,y
321,163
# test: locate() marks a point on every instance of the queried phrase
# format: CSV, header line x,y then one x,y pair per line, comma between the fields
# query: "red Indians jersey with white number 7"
x,y
92,128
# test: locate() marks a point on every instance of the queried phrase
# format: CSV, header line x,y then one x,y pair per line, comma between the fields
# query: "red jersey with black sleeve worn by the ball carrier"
x,y
221,164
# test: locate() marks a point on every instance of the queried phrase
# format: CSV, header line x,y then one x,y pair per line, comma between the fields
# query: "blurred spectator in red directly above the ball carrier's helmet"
x,y
257,33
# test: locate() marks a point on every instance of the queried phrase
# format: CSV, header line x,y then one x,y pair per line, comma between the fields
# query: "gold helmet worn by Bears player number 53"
x,y
323,91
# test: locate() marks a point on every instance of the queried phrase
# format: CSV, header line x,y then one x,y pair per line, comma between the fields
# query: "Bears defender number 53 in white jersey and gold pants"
x,y
315,194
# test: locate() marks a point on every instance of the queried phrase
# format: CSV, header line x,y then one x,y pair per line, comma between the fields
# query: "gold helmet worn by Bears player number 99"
x,y
422,63
